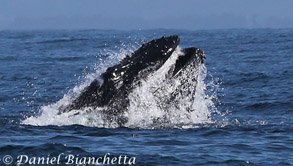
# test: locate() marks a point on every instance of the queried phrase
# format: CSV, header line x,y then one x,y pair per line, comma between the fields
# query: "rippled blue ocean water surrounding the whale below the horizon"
x,y
243,109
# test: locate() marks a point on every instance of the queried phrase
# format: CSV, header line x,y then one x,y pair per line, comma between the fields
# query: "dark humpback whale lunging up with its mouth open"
x,y
118,81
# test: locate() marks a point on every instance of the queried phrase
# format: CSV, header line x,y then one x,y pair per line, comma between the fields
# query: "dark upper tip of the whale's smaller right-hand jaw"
x,y
189,55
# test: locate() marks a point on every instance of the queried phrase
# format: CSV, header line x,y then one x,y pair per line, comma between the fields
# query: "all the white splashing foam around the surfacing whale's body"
x,y
147,108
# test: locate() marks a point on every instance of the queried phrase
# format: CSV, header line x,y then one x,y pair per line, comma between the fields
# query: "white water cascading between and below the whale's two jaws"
x,y
148,107
